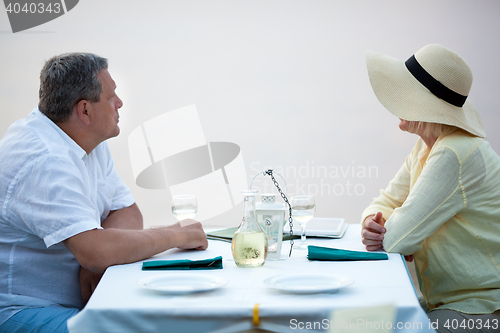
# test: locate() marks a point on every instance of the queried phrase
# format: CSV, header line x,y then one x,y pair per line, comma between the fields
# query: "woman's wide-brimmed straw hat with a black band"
x,y
431,86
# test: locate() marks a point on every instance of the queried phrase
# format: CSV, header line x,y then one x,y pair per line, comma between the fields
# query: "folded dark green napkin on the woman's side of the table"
x,y
326,253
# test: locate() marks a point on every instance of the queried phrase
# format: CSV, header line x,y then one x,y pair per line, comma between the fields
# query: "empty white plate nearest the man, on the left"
x,y
182,283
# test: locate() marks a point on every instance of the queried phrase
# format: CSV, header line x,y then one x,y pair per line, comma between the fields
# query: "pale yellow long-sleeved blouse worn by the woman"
x,y
443,206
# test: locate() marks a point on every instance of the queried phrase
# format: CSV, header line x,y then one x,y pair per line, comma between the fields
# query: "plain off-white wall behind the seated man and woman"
x,y
284,79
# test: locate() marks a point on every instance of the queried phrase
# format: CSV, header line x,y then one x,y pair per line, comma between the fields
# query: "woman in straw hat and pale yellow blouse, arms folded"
x,y
442,208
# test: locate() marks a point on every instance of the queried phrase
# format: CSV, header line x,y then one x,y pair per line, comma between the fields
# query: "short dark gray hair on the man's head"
x,y
67,79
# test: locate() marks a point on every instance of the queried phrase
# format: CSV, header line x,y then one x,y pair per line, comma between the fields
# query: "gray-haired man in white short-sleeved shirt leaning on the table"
x,y
66,215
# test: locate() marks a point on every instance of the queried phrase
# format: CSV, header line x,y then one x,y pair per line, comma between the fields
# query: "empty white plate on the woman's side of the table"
x,y
308,283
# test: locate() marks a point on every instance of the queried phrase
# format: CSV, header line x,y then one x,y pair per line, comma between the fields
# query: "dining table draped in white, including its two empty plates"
x,y
373,295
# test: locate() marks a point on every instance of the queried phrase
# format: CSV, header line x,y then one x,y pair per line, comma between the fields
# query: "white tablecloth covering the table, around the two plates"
x,y
120,305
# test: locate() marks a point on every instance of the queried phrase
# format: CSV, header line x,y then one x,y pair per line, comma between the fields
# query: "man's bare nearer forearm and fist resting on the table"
x,y
98,249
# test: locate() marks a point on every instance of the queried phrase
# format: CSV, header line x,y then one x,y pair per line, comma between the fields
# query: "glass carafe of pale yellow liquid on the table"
x,y
249,244
